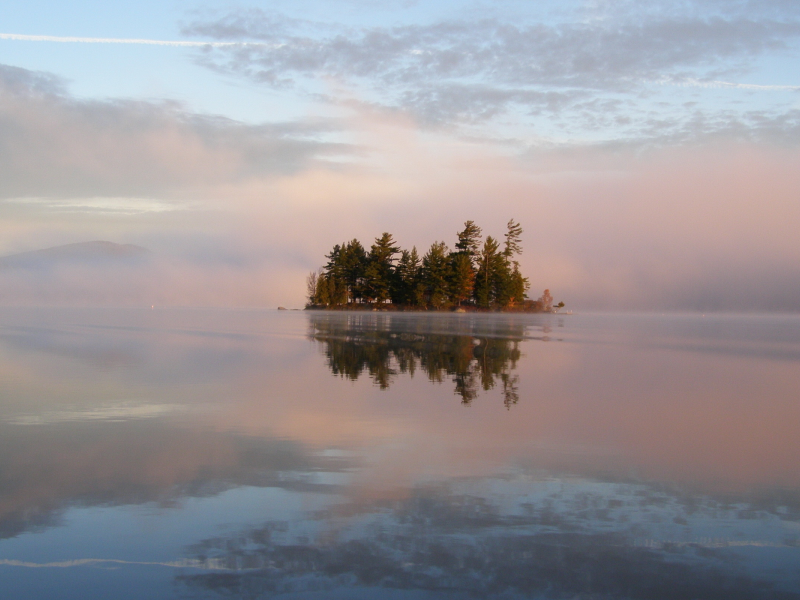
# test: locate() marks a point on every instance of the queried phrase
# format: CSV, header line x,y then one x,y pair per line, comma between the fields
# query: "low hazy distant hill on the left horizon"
x,y
82,253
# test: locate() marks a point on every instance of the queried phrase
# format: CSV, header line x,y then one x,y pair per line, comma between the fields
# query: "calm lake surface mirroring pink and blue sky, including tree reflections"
x,y
245,454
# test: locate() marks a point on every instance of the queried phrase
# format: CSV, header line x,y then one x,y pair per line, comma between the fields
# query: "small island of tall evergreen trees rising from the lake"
x,y
478,275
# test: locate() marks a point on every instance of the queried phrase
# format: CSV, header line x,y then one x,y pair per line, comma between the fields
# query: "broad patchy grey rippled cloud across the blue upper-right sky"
x,y
530,72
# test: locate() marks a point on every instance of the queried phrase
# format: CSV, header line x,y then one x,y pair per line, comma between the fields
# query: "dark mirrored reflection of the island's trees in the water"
x,y
475,353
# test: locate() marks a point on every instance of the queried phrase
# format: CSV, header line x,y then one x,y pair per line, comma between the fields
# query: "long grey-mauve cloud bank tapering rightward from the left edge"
x,y
54,145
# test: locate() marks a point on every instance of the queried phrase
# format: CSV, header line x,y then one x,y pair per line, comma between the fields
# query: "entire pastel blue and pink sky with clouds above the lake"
x,y
649,149
